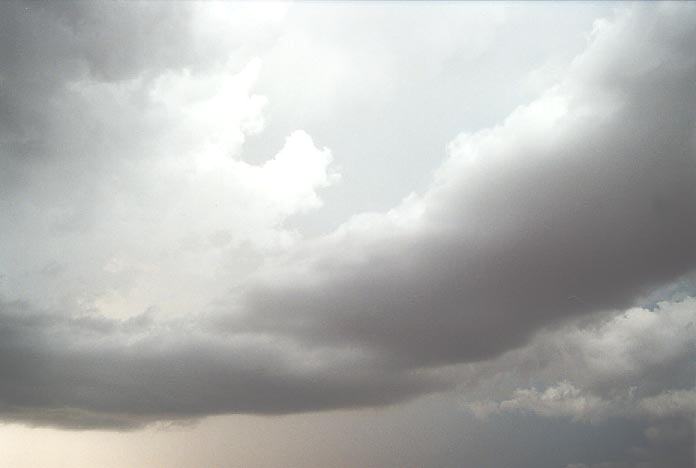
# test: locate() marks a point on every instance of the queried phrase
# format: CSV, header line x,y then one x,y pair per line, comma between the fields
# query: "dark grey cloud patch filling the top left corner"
x,y
45,46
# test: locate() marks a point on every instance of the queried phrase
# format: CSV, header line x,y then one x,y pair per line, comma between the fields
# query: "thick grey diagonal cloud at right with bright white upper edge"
x,y
578,202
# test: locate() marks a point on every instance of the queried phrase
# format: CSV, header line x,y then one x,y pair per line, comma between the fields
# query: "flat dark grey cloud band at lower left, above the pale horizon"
x,y
92,371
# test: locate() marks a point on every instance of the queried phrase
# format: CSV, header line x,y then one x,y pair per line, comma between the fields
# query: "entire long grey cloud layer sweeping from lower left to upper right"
x,y
580,202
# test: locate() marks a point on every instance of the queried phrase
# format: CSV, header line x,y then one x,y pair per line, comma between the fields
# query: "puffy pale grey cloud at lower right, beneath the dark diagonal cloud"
x,y
638,364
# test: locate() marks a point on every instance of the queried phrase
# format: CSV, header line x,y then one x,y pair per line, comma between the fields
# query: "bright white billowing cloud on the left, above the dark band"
x,y
140,199
